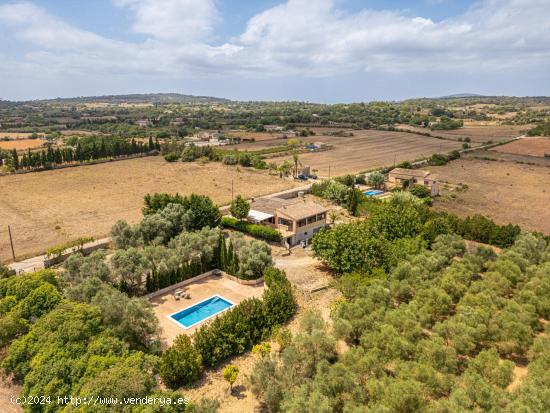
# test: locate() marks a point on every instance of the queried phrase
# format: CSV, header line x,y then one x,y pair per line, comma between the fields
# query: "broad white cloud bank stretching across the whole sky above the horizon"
x,y
298,37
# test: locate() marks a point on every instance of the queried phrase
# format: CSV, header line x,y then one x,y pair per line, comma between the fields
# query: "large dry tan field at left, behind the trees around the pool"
x,y
48,208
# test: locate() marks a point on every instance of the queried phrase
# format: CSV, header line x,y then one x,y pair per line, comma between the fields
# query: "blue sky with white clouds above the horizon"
x,y
309,50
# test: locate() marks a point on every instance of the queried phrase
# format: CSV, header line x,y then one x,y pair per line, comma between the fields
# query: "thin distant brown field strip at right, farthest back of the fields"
x,y
476,133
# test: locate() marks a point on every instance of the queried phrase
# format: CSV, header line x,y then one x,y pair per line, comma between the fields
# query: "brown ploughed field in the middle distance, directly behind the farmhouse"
x,y
369,149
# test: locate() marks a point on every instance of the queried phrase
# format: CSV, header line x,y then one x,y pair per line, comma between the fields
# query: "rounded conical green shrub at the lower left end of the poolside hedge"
x,y
180,364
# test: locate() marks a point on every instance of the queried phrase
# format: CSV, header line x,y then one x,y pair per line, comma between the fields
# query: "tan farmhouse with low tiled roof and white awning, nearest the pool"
x,y
297,219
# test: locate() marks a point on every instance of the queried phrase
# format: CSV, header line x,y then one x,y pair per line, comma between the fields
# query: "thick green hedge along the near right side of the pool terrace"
x,y
240,328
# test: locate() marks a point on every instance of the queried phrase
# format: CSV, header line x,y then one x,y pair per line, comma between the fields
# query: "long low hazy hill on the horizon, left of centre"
x,y
140,98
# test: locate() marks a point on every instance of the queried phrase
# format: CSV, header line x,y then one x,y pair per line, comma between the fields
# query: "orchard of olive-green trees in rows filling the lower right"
x,y
435,333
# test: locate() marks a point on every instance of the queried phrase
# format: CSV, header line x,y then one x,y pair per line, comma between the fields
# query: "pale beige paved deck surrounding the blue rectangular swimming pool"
x,y
166,304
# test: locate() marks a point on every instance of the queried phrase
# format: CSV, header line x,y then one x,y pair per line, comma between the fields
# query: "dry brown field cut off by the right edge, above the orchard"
x,y
504,191
